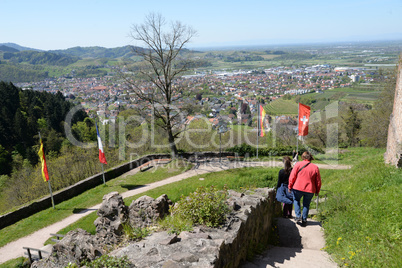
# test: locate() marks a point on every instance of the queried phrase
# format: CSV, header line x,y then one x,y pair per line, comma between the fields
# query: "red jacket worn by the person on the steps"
x,y
307,180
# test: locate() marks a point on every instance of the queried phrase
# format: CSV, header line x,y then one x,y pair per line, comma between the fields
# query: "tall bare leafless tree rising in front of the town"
x,y
163,62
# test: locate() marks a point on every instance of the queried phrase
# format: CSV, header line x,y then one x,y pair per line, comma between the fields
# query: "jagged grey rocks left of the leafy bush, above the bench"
x,y
78,245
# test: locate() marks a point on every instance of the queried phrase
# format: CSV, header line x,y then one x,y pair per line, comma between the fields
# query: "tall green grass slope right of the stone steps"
x,y
362,219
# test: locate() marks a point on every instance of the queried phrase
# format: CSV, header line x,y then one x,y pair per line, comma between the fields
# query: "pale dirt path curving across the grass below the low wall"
x,y
37,239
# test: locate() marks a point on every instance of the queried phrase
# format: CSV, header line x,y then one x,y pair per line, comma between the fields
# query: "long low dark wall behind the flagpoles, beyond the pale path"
x,y
89,183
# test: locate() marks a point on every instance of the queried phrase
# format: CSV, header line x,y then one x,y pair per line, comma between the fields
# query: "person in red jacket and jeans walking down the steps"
x,y
305,181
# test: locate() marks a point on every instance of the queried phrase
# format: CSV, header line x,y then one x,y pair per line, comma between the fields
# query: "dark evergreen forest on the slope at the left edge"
x,y
25,113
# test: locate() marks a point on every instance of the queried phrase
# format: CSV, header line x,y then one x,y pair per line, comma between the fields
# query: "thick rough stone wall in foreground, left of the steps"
x,y
247,229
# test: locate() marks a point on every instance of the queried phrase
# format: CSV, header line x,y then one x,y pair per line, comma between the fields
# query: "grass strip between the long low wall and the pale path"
x,y
86,200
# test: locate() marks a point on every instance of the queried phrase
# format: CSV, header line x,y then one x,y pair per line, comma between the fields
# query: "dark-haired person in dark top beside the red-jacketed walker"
x,y
282,193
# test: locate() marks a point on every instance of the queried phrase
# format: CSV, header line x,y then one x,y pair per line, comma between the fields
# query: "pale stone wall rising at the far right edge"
x,y
393,154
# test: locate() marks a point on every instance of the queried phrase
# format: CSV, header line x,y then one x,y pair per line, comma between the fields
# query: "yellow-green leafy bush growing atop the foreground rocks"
x,y
204,206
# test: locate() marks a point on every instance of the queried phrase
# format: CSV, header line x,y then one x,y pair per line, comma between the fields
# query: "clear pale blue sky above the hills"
x,y
56,24
